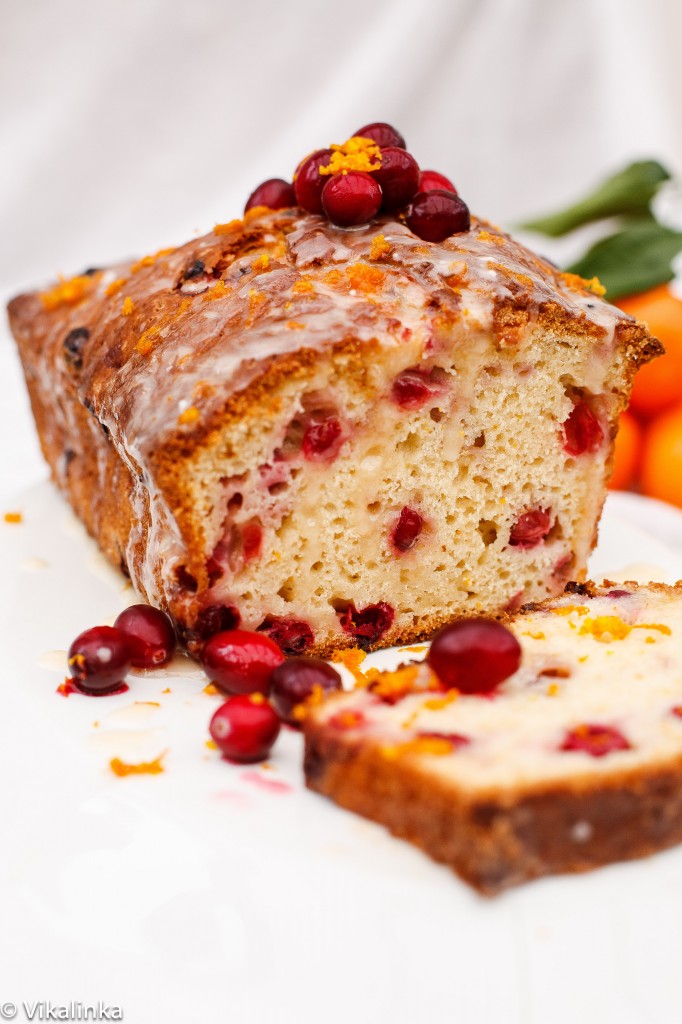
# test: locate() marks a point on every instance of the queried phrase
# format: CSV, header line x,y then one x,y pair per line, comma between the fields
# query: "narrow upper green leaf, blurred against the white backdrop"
x,y
629,192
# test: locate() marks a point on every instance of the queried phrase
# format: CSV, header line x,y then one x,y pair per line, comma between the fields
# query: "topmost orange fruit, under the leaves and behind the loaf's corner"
x,y
659,385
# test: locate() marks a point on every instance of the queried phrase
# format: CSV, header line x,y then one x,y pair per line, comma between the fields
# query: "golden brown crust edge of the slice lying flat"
x,y
500,841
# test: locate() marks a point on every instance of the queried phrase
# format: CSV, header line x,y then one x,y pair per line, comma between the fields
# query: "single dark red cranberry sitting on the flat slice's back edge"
x,y
475,656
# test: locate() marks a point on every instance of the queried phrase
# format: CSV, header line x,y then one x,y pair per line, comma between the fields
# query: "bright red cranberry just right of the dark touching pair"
x,y
241,662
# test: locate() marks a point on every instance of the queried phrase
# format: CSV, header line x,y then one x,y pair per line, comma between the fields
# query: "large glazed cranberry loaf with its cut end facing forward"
x,y
336,437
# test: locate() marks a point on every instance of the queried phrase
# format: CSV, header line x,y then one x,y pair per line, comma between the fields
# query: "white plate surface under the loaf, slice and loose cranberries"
x,y
219,892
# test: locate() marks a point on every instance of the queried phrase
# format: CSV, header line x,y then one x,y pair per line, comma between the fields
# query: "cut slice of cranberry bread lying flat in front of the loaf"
x,y
574,762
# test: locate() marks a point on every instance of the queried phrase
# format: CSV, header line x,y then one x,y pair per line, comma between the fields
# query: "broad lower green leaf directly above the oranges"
x,y
634,260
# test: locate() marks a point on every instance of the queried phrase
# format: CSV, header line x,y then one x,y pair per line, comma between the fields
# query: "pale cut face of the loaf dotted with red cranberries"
x,y
373,495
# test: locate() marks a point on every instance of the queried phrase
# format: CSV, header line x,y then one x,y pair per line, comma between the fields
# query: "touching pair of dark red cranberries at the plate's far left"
x,y
101,658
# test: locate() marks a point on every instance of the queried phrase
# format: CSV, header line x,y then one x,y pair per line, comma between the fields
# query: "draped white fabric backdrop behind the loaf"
x,y
127,126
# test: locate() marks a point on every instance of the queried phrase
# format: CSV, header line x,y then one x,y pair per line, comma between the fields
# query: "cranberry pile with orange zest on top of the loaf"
x,y
370,174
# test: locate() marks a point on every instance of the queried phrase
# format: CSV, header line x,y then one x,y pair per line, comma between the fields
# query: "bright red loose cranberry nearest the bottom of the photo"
x,y
245,729
